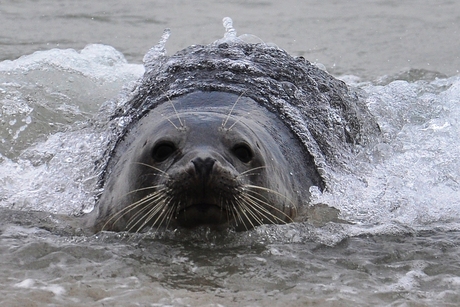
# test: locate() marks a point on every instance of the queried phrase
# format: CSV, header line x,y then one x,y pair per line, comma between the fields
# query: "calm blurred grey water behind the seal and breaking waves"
x,y
365,38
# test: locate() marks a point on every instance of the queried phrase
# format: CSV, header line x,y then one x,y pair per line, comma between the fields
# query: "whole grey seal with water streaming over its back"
x,y
230,134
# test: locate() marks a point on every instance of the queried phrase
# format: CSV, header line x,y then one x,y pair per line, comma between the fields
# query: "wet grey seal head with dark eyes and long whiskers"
x,y
207,158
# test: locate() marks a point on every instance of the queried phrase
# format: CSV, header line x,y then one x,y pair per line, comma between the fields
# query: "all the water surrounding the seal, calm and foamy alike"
x,y
400,244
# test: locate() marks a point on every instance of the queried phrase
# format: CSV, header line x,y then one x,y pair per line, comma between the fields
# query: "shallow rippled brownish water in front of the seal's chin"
x,y
407,269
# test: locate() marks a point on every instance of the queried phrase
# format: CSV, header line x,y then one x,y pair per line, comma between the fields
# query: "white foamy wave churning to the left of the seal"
x,y
51,140
